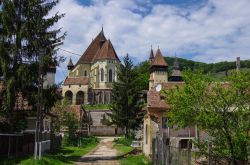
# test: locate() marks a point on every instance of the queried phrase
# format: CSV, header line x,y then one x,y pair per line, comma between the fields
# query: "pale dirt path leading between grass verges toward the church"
x,y
104,154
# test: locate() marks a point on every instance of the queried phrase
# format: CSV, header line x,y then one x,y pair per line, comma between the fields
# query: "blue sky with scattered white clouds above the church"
x,y
201,30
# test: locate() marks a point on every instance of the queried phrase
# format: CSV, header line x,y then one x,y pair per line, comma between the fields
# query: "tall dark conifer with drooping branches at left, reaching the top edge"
x,y
27,39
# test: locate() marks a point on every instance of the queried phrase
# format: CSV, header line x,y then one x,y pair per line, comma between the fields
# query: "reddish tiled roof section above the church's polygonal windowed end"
x,y
106,52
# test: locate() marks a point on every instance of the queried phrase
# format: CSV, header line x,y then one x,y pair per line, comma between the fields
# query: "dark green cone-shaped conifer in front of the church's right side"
x,y
125,104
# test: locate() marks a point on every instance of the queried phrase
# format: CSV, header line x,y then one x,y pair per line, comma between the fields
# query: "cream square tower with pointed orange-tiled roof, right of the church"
x,y
158,70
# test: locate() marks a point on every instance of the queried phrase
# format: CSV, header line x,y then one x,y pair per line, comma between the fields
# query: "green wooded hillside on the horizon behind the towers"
x,y
217,70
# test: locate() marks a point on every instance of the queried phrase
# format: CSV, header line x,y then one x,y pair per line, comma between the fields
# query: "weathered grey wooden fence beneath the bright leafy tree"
x,y
164,154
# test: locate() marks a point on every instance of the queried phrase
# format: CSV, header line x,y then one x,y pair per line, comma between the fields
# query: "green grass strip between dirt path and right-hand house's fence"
x,y
130,158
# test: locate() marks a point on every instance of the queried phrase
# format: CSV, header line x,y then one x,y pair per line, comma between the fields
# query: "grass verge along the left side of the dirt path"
x,y
66,155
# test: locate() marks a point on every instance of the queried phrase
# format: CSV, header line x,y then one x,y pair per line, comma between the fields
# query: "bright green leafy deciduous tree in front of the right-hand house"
x,y
220,109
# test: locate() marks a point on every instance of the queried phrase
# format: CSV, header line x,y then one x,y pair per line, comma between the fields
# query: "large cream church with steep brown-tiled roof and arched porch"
x,y
90,80
